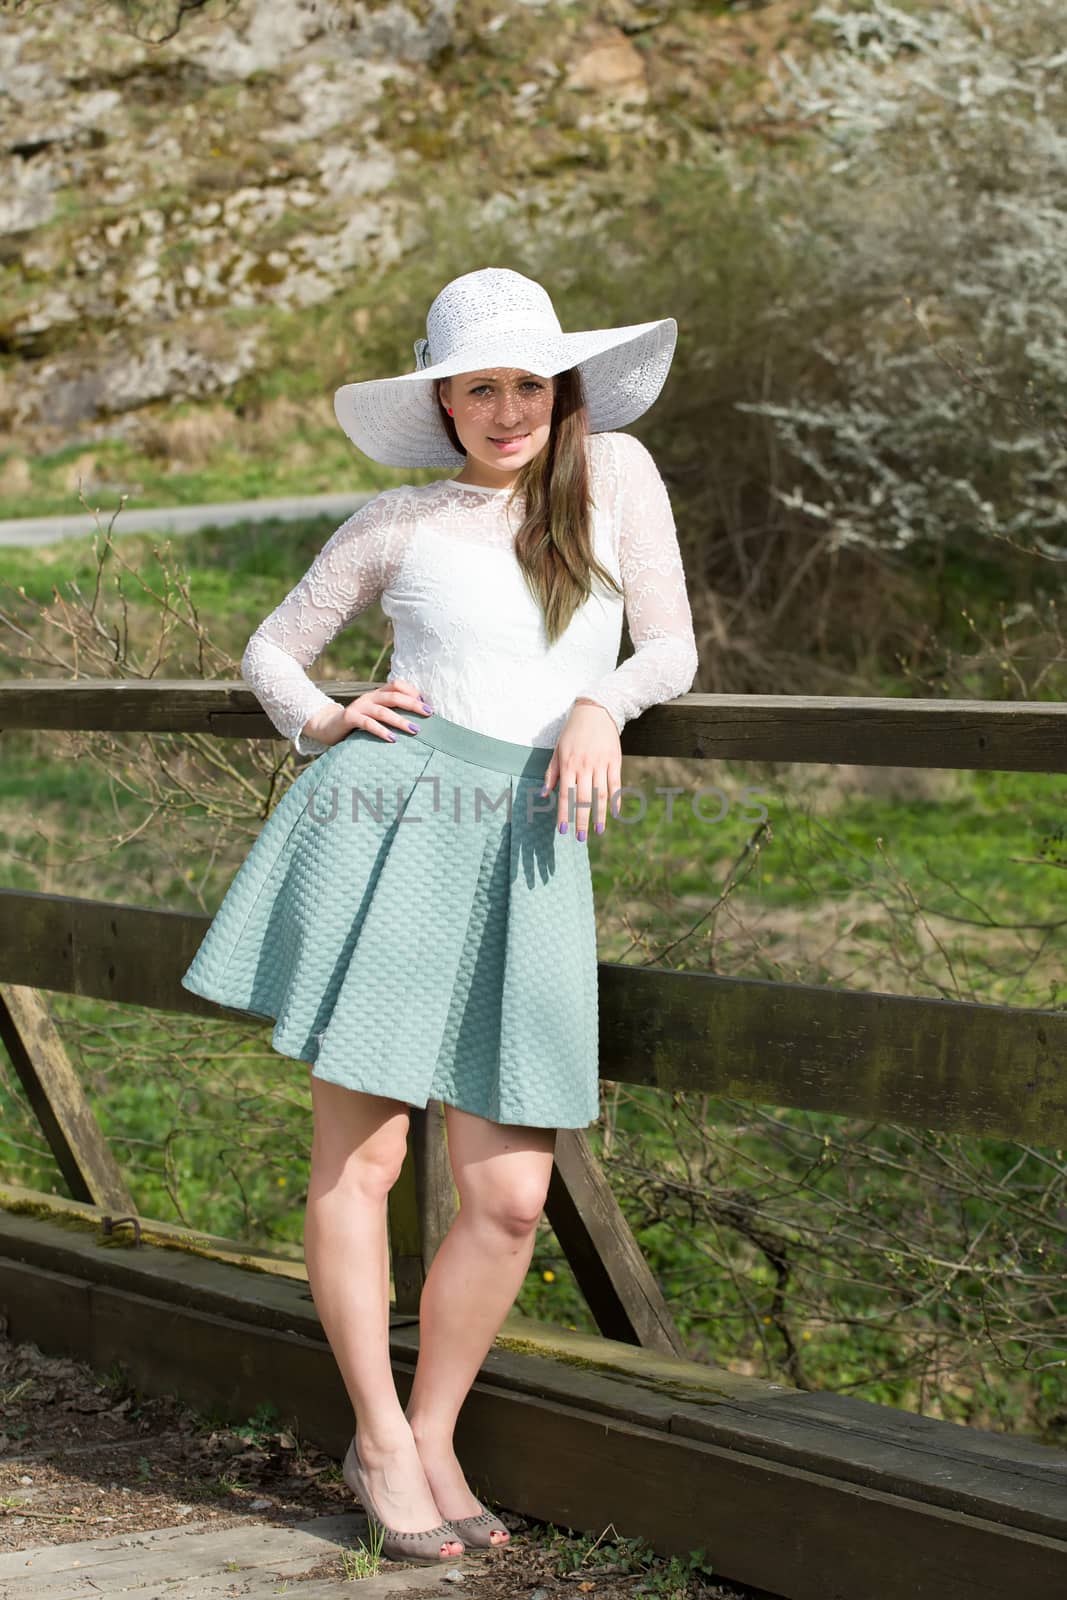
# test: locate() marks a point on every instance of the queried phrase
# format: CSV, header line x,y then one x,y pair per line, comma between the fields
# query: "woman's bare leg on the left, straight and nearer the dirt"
x,y
358,1151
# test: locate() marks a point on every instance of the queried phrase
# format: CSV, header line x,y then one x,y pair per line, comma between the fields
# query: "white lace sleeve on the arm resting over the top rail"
x,y
658,615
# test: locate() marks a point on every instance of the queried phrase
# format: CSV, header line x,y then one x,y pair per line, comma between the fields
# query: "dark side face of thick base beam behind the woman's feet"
x,y
797,1534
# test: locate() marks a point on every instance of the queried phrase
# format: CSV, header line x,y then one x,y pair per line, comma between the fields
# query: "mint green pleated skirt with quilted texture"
x,y
415,926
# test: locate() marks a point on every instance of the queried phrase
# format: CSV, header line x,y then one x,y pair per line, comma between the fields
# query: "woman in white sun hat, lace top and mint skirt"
x,y
442,943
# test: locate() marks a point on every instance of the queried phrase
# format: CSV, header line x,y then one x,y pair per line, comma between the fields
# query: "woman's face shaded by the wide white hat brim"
x,y
503,417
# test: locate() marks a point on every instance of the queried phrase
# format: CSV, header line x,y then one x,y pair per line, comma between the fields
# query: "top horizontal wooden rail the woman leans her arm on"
x,y
860,730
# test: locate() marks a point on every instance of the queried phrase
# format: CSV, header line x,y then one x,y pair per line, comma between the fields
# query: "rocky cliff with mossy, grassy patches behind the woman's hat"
x,y
169,204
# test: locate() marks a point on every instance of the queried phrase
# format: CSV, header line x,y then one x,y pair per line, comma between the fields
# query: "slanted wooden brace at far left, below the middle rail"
x,y
58,1102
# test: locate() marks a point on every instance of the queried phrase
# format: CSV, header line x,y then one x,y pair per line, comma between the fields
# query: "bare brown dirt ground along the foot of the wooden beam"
x,y
82,1457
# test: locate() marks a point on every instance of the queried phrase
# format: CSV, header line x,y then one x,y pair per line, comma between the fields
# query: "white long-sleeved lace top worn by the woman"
x,y
468,633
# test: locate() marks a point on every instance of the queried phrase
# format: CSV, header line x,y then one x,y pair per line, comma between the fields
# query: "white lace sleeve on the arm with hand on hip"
x,y
354,567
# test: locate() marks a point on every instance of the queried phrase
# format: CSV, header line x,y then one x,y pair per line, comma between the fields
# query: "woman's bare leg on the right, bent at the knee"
x,y
503,1177
